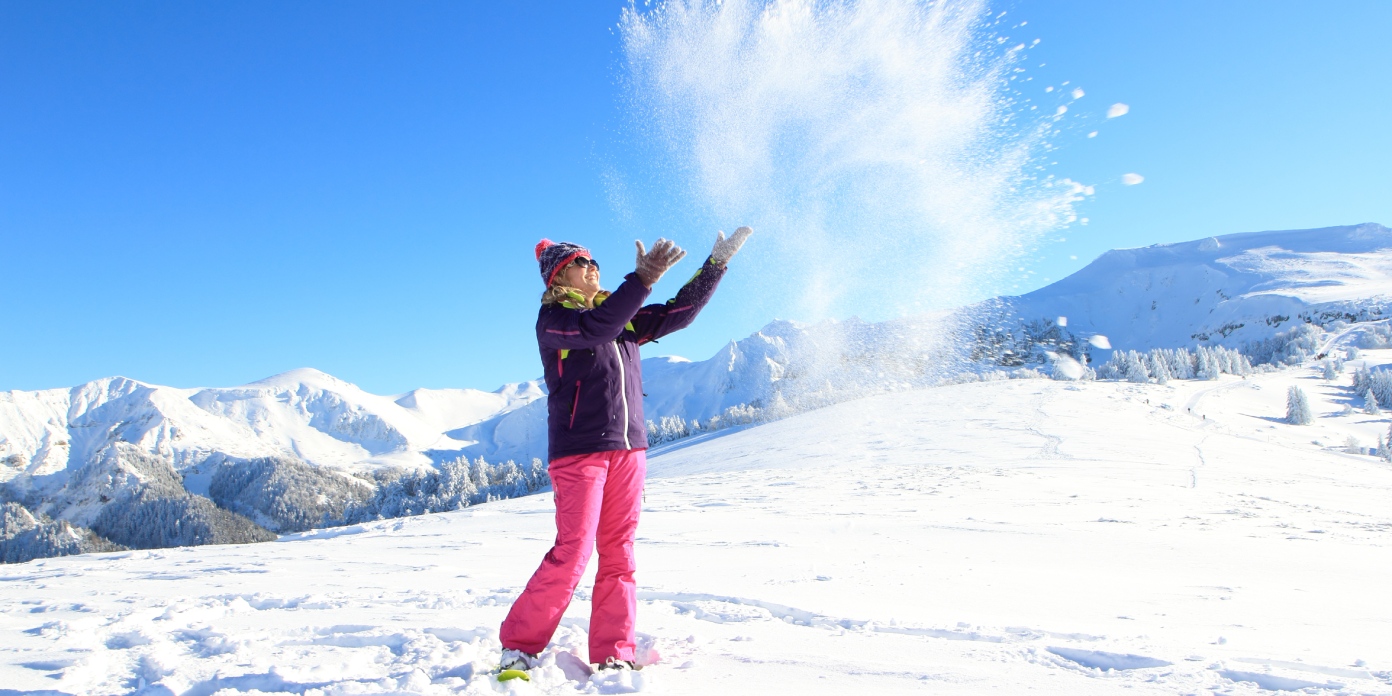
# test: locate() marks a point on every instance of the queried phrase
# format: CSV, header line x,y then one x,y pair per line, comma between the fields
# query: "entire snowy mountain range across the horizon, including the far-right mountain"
x,y
1217,292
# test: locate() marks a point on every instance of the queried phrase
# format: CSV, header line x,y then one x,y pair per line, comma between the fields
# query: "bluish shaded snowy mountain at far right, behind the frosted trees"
x,y
1224,290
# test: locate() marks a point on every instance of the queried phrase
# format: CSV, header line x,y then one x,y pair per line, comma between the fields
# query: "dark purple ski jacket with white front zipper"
x,y
594,375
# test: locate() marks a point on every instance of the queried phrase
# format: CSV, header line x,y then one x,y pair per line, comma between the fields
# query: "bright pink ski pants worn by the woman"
x,y
598,499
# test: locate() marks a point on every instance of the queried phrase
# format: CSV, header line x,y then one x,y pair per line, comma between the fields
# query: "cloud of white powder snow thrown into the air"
x,y
887,152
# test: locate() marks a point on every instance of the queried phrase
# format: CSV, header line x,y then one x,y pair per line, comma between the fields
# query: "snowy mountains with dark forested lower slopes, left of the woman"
x,y
150,467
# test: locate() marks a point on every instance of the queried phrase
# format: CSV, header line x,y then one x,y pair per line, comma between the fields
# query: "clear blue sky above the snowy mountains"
x,y
207,194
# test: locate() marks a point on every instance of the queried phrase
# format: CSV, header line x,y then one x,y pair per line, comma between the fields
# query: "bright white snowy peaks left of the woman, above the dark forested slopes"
x,y
304,414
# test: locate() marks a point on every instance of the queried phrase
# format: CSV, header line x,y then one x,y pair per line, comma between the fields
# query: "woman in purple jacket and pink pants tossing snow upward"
x,y
598,442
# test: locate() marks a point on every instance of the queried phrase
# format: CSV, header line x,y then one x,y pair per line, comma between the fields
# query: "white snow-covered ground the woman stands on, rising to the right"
x,y
1010,537
